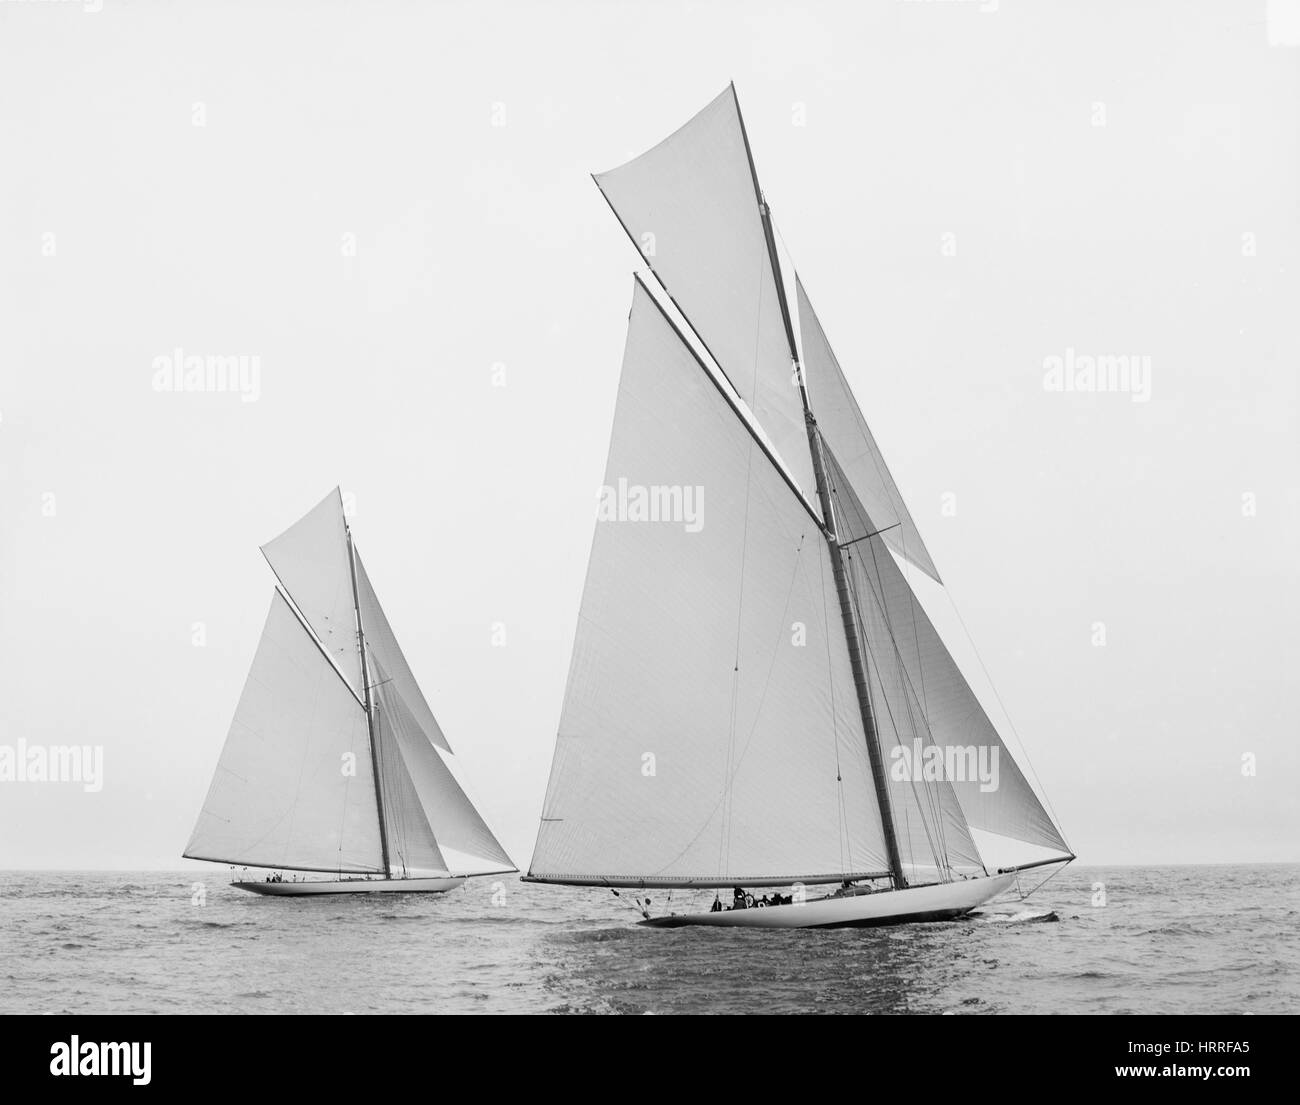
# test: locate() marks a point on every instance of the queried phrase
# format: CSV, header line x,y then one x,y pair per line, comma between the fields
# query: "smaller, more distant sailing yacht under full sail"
x,y
331,765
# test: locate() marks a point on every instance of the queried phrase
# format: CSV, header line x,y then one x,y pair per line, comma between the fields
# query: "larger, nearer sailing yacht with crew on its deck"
x,y
757,697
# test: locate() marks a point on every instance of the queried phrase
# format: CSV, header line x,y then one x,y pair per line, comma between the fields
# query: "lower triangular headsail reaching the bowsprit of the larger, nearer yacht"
x,y
928,700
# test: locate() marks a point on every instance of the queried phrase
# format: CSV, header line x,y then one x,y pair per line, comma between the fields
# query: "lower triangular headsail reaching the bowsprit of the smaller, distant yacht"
x,y
435,804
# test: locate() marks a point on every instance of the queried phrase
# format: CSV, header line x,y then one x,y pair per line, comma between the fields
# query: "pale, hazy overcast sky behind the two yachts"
x,y
391,207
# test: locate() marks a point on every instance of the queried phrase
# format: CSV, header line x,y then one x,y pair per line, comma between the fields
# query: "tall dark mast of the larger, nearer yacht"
x,y
842,577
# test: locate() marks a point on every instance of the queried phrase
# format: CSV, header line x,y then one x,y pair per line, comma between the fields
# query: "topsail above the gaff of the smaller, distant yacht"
x,y
311,562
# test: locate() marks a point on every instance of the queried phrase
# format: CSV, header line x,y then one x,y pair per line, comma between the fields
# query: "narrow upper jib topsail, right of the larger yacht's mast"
x,y
846,431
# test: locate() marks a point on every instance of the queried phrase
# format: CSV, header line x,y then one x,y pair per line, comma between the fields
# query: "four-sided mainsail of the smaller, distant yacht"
x,y
294,786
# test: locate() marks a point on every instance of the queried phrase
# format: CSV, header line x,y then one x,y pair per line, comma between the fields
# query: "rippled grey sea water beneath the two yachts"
x,y
1216,939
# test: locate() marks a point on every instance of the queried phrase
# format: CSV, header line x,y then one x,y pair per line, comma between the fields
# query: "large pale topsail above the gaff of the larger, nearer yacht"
x,y
692,206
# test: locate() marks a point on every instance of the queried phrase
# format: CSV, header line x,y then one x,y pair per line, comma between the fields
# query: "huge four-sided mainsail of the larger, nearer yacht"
x,y
710,733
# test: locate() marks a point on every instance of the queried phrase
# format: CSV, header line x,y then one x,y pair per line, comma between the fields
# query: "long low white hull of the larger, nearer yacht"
x,y
943,902
